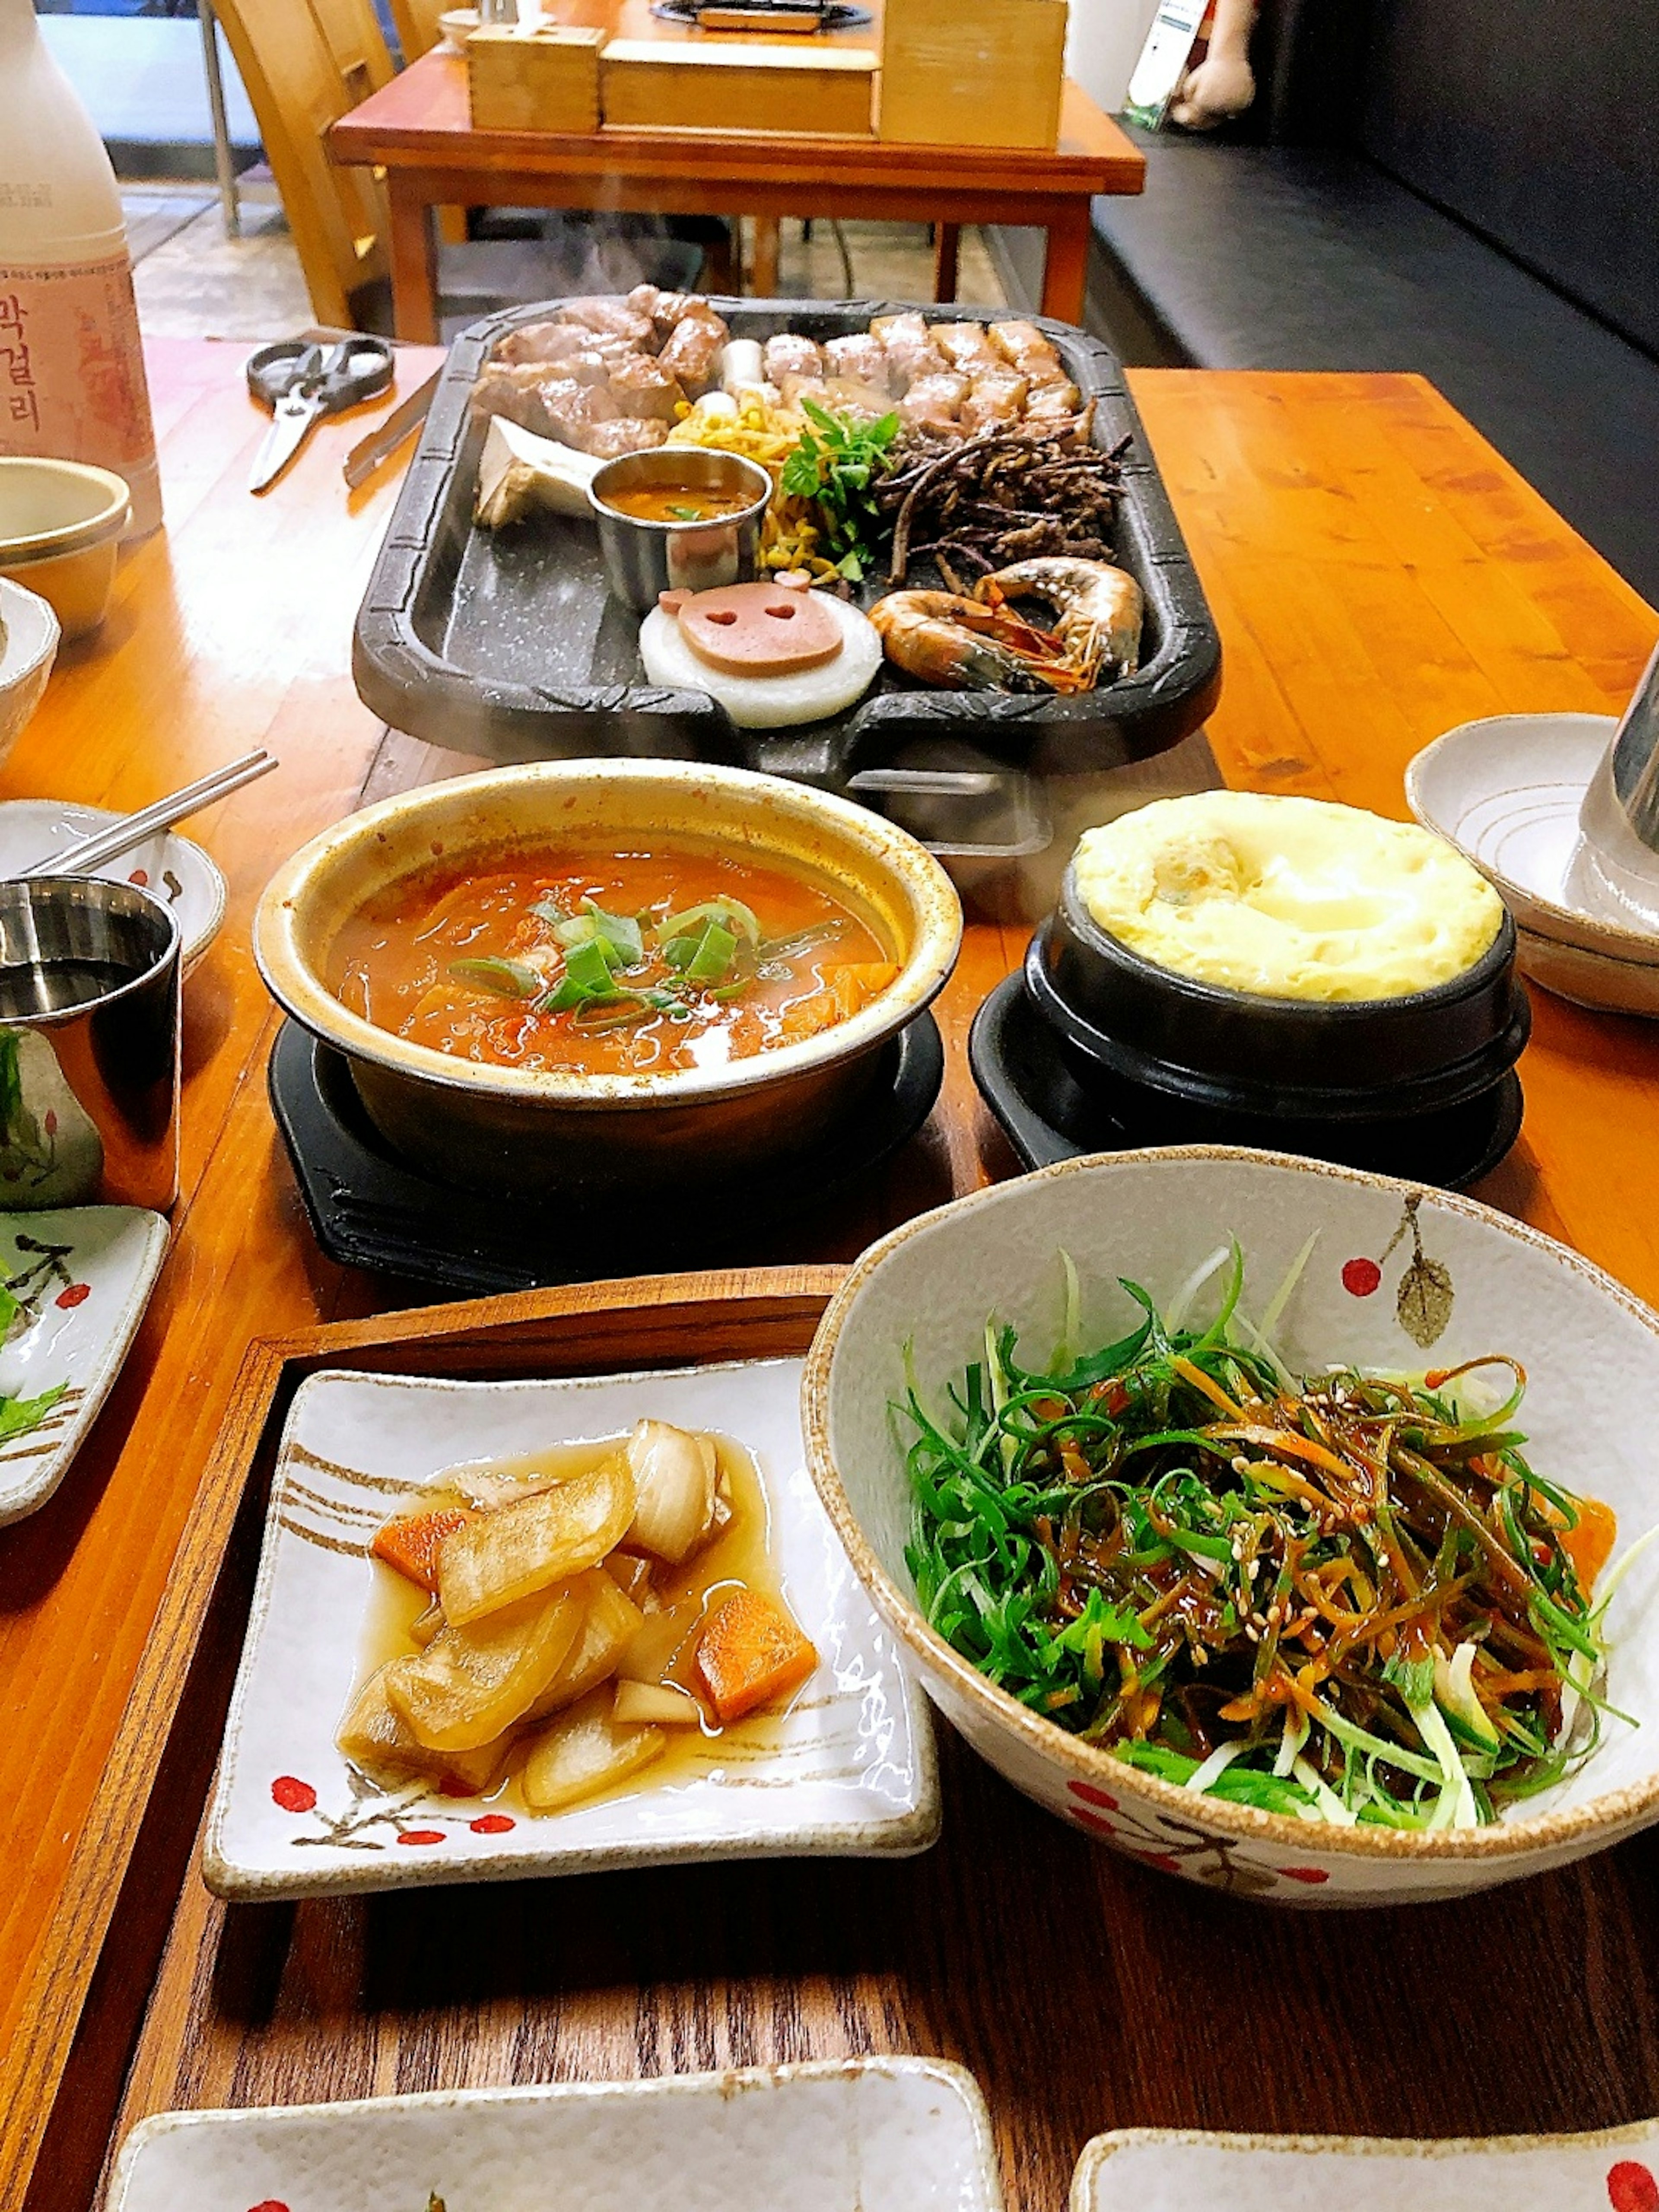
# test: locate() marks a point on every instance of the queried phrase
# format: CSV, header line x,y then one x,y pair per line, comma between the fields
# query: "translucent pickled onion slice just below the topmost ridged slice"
x,y
474,1682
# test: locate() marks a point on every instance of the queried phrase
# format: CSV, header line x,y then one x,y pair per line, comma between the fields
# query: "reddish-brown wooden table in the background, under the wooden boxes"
x,y
419,129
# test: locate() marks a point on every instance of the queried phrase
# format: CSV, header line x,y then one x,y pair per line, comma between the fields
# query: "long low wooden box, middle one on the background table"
x,y
740,87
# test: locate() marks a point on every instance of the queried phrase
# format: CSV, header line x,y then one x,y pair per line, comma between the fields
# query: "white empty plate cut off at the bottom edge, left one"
x,y
835,2136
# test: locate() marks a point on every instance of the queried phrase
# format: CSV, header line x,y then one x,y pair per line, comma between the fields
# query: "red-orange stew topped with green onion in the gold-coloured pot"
x,y
609,963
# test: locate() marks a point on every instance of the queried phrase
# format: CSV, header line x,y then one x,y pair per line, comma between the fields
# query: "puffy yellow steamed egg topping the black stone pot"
x,y
1286,897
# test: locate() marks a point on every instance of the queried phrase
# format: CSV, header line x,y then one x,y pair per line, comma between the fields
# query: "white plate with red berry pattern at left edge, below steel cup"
x,y
85,1277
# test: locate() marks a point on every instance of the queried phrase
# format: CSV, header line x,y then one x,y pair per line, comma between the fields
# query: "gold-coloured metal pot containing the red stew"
x,y
541,1131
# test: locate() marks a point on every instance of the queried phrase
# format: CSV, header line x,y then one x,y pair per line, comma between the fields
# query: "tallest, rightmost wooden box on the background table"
x,y
972,72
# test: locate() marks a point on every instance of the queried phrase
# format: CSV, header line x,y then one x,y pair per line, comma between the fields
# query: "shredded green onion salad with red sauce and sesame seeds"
x,y
1339,1598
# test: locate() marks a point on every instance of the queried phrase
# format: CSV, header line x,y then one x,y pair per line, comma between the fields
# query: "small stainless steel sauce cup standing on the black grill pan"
x,y
647,559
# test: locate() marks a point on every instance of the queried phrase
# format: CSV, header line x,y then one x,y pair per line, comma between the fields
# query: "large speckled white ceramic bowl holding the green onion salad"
x,y
1592,1353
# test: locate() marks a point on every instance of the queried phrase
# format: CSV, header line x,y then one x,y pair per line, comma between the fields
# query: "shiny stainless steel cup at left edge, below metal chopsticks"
x,y
90,1045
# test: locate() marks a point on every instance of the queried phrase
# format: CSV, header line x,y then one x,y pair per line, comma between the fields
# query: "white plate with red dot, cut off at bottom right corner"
x,y
1165,2171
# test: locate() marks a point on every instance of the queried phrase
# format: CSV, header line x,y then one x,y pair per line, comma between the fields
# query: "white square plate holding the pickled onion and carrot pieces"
x,y
853,1771
